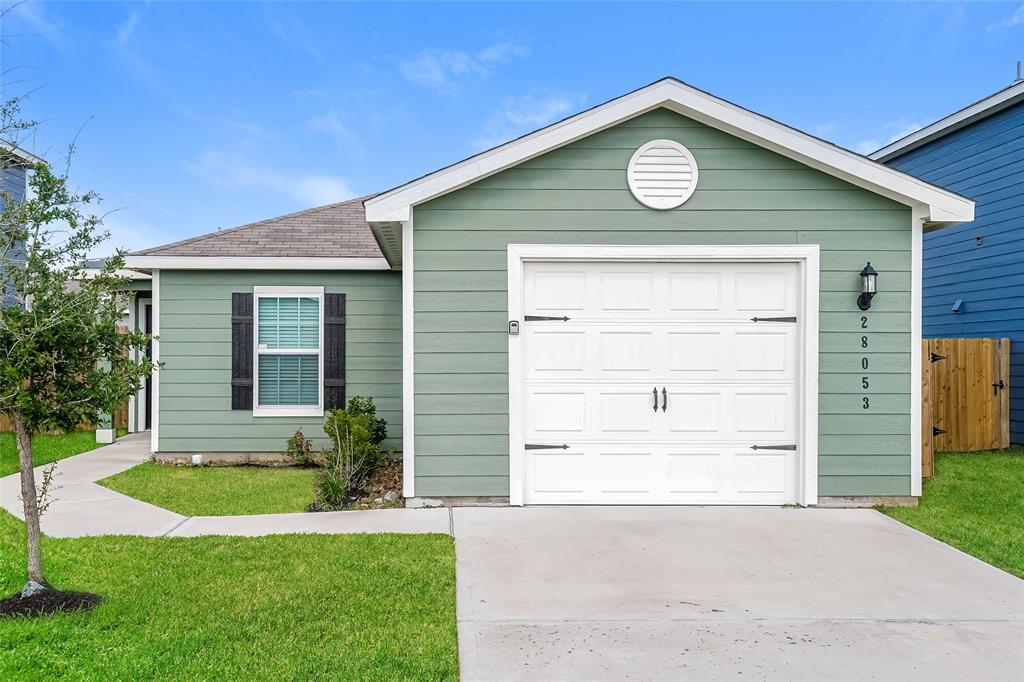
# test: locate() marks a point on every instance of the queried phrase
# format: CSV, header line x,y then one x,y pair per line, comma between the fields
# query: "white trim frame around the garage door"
x,y
806,257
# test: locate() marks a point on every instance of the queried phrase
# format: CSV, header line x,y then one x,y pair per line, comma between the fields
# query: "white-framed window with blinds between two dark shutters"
x,y
289,338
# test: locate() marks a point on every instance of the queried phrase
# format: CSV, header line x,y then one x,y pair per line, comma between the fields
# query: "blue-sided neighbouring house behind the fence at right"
x,y
974,273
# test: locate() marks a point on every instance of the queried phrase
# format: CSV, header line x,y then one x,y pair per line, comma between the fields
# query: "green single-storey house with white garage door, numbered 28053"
x,y
665,300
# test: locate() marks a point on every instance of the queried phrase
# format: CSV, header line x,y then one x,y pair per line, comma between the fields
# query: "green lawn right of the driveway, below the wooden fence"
x,y
975,502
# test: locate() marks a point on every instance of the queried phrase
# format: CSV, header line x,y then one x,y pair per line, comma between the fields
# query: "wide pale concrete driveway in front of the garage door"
x,y
726,593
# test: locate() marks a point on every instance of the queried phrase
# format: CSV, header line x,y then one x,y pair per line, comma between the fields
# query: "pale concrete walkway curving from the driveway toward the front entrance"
x,y
81,507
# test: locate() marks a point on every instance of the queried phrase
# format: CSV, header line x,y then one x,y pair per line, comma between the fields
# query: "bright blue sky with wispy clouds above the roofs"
x,y
203,116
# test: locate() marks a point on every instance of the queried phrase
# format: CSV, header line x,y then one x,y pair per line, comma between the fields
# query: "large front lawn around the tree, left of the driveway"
x,y
281,608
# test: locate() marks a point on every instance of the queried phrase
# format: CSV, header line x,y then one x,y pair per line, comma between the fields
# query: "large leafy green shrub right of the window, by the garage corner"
x,y
357,435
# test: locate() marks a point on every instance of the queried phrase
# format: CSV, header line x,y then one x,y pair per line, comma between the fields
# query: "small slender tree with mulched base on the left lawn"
x,y
63,359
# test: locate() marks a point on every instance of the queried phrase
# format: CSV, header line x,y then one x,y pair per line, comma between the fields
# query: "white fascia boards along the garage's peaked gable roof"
x,y
942,205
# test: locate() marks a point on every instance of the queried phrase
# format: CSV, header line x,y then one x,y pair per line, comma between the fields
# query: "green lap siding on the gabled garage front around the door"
x,y
578,195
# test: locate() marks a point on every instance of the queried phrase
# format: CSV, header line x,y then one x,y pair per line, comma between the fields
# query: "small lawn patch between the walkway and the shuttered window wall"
x,y
218,491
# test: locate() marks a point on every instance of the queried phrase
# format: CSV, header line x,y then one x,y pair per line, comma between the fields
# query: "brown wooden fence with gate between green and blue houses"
x,y
965,397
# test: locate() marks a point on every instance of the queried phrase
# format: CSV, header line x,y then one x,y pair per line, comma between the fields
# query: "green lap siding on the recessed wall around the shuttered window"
x,y
196,410
